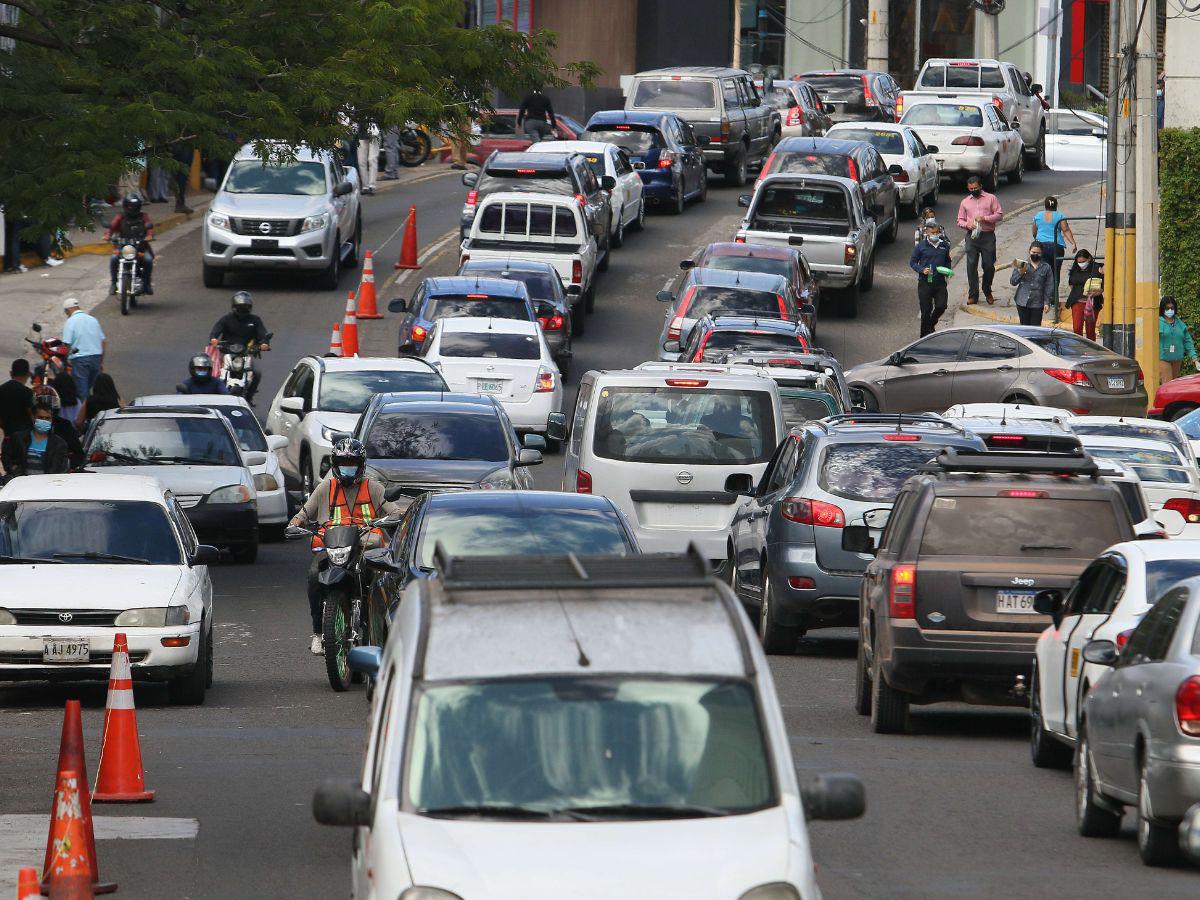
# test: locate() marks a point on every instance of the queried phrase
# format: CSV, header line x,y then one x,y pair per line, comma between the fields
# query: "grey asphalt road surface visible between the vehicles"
x,y
955,809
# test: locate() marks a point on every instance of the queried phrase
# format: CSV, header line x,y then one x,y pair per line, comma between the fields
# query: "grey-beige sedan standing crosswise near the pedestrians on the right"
x,y
1009,364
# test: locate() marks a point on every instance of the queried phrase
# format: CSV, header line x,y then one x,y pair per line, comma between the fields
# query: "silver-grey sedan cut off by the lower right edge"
x,y
1141,736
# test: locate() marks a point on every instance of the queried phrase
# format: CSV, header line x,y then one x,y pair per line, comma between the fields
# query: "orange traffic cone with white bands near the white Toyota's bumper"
x,y
121,778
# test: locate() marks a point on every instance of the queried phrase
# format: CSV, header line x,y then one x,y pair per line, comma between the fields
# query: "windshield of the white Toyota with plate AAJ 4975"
x,y
88,532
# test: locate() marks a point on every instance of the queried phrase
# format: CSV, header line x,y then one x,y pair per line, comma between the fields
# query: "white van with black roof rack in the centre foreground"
x,y
518,759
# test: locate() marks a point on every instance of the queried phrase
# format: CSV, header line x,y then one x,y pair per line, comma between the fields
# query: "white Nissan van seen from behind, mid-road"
x,y
662,440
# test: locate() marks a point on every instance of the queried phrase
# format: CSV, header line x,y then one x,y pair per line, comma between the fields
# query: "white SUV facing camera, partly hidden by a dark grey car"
x,y
323,398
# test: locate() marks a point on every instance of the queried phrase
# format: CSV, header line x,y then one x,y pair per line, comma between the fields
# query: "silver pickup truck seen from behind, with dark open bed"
x,y
829,218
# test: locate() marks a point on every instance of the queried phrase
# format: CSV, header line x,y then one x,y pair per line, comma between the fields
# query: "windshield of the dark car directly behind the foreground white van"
x,y
520,532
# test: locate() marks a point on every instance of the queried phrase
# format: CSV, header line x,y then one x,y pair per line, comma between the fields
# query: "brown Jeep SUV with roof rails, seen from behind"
x,y
946,608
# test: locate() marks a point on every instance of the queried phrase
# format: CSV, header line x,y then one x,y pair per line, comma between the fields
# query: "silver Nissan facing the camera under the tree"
x,y
304,214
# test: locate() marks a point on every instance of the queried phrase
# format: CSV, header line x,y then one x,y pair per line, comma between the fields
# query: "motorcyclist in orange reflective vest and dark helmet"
x,y
346,496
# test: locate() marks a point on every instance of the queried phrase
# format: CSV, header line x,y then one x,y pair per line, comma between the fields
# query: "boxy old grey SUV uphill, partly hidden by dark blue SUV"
x,y
721,105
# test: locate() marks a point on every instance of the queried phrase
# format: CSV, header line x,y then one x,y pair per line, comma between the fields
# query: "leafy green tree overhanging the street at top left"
x,y
94,87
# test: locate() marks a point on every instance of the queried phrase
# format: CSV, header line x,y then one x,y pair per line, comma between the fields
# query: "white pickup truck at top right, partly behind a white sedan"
x,y
1001,83
